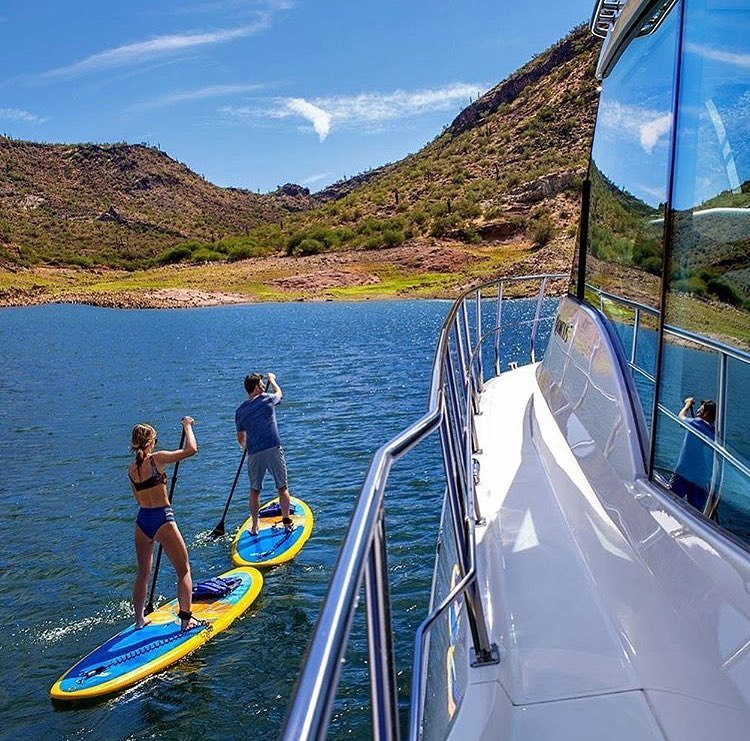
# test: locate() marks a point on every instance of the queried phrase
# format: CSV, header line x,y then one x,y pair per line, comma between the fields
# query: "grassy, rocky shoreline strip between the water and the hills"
x,y
424,270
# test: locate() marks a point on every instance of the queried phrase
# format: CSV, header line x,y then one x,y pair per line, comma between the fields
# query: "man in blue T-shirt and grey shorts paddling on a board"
x,y
258,432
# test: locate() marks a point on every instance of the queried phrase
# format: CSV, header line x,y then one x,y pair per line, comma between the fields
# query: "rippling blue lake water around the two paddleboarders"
x,y
73,381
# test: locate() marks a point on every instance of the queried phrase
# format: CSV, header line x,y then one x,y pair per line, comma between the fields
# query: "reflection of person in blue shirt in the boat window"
x,y
692,474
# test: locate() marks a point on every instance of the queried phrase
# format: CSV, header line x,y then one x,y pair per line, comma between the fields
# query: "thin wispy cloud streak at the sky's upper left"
x,y
142,51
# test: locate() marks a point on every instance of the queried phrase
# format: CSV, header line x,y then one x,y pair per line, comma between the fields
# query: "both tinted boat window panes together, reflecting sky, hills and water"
x,y
704,293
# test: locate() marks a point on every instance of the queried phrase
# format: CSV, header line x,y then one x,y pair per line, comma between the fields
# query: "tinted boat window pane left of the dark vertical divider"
x,y
629,173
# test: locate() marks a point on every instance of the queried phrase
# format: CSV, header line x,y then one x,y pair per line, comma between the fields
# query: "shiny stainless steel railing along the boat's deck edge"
x,y
455,388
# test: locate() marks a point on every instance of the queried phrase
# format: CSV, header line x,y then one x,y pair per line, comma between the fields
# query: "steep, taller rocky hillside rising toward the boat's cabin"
x,y
505,173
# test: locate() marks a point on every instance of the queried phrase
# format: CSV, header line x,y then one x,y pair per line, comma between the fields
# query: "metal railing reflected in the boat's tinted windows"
x,y
725,353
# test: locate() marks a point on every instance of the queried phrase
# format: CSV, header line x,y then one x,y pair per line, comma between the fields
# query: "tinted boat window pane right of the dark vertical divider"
x,y
709,276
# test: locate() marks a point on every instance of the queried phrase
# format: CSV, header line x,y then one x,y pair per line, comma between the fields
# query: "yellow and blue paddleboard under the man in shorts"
x,y
273,544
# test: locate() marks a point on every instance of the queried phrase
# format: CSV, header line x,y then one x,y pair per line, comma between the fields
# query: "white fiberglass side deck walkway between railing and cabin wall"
x,y
557,640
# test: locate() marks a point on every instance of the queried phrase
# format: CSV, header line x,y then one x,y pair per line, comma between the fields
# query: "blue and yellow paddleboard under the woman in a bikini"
x,y
135,654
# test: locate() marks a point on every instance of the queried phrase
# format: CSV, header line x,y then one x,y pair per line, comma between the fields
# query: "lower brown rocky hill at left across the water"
x,y
117,205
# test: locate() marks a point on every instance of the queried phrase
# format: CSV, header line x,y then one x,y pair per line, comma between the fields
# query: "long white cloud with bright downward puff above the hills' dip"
x,y
362,110
